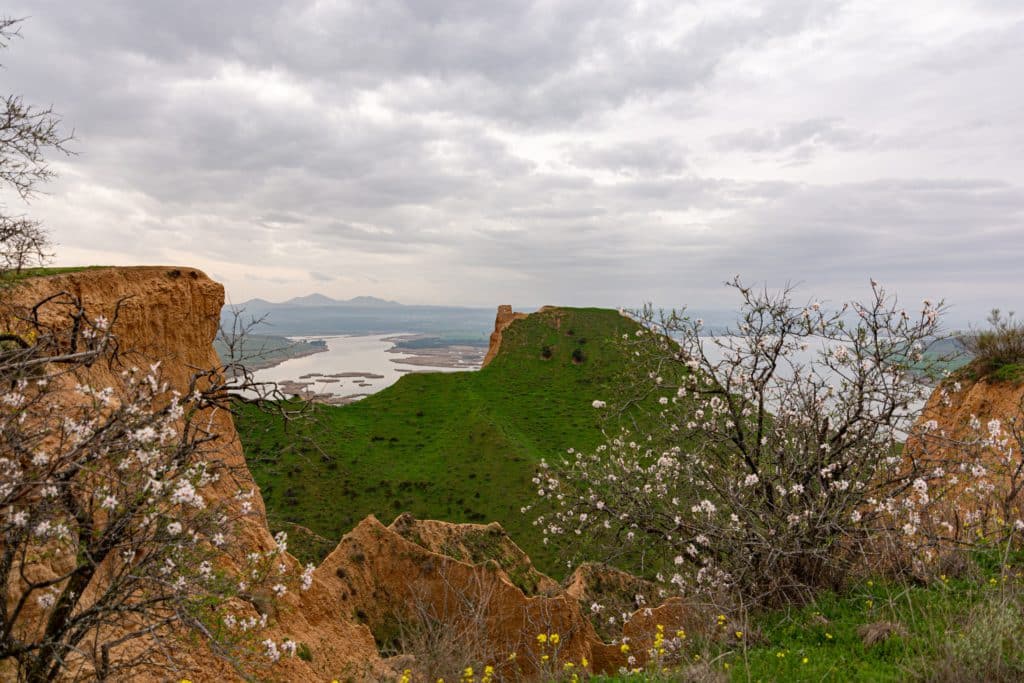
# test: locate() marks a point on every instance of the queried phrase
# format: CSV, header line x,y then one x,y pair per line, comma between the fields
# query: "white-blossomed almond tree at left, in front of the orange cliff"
x,y
112,550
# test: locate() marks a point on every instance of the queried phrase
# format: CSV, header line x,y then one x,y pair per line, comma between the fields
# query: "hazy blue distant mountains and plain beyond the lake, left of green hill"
x,y
319,315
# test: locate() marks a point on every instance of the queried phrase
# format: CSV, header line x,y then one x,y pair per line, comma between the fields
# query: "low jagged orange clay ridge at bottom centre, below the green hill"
x,y
464,584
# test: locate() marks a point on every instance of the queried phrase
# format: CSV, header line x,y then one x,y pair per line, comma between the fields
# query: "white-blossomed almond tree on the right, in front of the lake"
x,y
775,459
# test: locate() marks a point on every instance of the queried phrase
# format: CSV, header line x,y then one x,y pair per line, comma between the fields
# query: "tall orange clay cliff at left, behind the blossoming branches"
x,y
172,315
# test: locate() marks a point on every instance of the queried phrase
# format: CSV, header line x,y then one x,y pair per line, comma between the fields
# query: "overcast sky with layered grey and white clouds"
x,y
589,152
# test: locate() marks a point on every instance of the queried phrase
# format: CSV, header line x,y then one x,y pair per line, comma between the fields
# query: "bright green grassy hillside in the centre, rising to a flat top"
x,y
459,447
